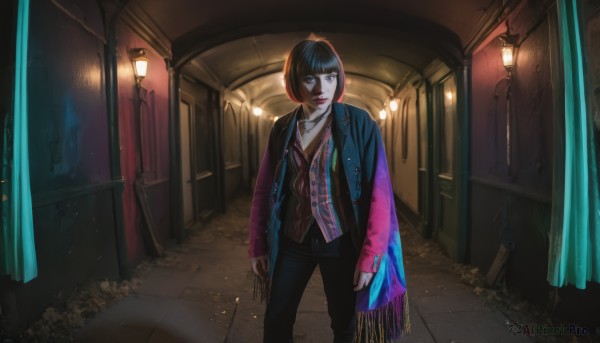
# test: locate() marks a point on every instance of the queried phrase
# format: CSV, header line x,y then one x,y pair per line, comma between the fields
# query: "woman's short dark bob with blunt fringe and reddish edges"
x,y
314,55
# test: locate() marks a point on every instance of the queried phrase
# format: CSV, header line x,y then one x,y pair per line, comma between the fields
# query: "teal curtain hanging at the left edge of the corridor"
x,y
18,258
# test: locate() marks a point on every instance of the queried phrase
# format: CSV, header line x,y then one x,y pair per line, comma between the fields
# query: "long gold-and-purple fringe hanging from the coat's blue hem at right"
x,y
384,324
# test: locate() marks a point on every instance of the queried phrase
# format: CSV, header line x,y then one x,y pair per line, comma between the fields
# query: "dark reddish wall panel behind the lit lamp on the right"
x,y
512,203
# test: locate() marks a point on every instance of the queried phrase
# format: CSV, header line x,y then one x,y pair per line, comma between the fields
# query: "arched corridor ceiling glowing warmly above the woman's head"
x,y
242,44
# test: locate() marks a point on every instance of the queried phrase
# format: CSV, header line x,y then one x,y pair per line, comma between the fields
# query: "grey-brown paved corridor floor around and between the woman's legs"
x,y
200,292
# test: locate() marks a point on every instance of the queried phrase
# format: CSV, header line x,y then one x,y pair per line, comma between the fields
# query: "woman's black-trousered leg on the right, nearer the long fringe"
x,y
338,281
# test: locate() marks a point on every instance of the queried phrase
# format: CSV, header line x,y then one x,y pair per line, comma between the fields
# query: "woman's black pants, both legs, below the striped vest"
x,y
295,265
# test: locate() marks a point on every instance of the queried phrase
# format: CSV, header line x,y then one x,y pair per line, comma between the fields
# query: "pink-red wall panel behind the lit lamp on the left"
x,y
156,143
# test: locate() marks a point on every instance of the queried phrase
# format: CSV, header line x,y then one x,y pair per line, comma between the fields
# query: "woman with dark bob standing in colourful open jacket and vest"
x,y
323,197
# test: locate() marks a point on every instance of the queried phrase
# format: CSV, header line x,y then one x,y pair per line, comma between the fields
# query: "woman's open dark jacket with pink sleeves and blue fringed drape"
x,y
382,308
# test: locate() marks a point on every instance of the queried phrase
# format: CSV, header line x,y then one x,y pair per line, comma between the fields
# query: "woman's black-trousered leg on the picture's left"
x,y
293,270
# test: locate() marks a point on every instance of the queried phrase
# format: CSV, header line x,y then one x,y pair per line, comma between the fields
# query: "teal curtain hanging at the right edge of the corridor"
x,y
574,255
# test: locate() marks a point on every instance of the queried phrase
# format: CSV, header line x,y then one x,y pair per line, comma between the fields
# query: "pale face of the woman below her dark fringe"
x,y
317,91
